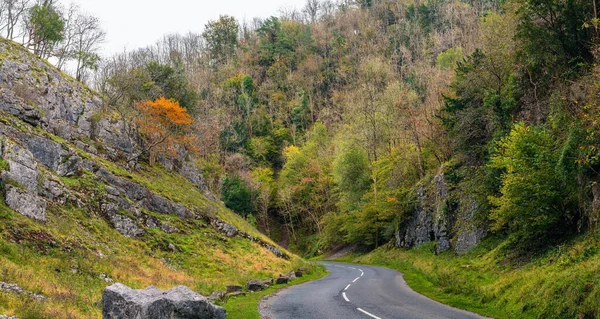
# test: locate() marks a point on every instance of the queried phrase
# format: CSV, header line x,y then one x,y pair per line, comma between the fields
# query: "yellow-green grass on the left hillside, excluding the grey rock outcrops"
x,y
64,258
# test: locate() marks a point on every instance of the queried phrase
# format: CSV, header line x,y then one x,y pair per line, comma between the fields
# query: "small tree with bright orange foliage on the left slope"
x,y
165,127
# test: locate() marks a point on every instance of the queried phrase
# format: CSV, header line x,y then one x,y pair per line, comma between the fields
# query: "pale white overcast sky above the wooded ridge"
x,y
133,24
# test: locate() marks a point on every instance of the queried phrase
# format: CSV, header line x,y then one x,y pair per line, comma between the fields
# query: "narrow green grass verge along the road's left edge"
x,y
246,307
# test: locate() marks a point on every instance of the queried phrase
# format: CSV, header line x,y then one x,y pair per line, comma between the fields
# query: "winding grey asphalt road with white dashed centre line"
x,y
356,292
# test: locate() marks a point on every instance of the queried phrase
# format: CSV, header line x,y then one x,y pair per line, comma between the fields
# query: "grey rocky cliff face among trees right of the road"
x,y
438,218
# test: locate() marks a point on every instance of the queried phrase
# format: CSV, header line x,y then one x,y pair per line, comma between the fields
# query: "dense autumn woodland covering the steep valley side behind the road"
x,y
318,125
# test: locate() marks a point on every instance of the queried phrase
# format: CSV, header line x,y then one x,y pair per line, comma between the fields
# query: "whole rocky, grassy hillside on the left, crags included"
x,y
75,216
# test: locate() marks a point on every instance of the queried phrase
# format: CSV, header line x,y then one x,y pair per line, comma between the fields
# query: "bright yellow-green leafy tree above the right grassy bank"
x,y
535,195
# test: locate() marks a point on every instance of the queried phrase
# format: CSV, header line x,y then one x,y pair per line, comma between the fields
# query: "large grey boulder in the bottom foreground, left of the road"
x,y
122,302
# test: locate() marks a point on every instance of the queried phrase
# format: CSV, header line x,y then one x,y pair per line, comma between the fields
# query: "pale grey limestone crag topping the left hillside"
x,y
39,94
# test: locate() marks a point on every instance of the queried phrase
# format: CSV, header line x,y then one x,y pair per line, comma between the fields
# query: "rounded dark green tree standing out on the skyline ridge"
x,y
221,38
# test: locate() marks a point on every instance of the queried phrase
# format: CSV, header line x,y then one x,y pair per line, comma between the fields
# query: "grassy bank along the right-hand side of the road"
x,y
563,283
